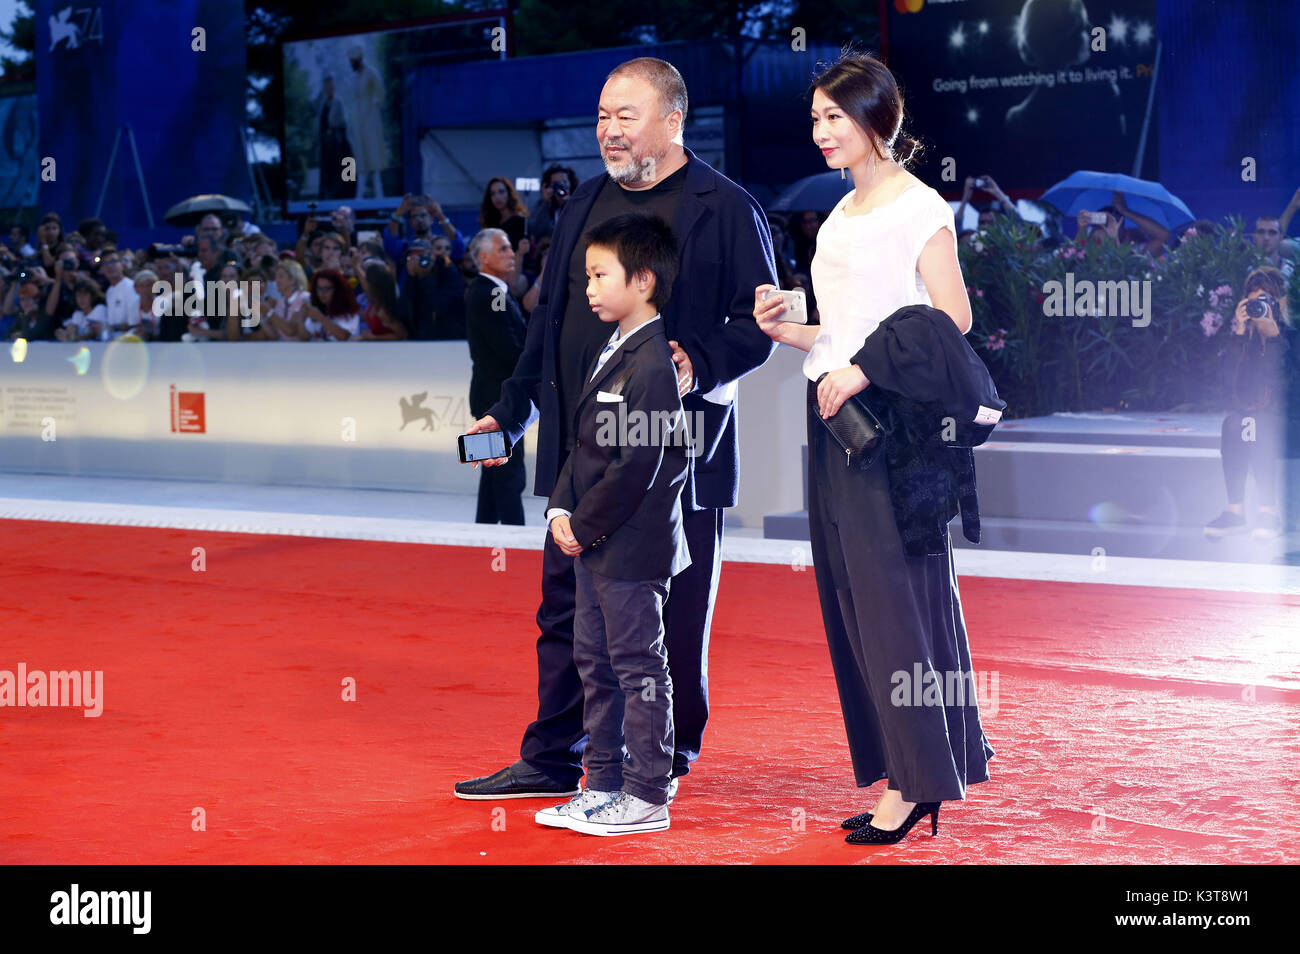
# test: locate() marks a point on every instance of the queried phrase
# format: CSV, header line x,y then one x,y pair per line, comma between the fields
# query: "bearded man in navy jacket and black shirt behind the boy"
x,y
726,250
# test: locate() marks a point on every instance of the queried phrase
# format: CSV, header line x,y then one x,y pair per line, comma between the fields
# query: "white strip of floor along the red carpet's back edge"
x,y
445,519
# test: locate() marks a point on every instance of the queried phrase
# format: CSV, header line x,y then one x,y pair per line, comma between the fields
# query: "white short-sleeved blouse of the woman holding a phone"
x,y
865,270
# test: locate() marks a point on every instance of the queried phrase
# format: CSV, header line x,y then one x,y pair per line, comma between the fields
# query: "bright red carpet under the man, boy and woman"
x,y
1124,732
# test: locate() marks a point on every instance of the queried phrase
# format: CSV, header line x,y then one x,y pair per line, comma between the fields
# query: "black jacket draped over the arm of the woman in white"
x,y
937,401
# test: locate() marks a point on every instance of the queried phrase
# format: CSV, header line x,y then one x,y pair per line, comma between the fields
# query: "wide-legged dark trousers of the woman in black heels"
x,y
896,634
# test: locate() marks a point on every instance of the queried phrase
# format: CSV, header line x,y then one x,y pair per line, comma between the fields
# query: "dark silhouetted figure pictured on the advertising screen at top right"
x,y
1055,36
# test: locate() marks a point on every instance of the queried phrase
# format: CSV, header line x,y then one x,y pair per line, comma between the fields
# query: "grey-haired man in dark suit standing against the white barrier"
x,y
496,329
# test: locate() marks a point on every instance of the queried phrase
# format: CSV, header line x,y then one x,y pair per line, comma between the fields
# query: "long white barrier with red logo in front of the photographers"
x,y
382,415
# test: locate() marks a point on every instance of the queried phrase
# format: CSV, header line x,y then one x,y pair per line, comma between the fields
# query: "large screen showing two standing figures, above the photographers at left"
x,y
344,140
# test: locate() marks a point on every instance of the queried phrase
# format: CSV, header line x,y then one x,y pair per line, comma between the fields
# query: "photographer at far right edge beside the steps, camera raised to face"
x,y
1259,367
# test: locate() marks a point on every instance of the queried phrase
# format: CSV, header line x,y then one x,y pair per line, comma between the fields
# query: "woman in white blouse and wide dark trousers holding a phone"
x,y
889,615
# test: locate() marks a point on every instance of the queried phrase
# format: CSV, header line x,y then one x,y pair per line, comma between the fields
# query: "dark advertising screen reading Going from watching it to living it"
x,y
1028,92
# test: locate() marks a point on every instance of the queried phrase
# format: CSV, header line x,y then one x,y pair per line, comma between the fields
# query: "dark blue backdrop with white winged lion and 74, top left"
x,y
135,66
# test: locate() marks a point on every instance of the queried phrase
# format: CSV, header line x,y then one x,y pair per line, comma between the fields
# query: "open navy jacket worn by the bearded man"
x,y
726,251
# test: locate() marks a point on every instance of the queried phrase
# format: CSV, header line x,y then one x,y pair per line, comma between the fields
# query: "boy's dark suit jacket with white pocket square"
x,y
625,492
